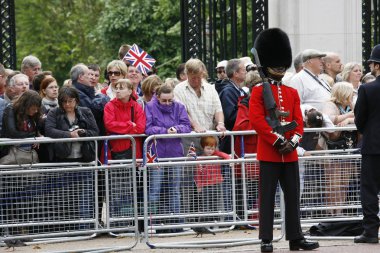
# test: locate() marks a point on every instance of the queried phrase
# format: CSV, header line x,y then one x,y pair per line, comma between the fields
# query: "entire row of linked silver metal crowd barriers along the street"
x,y
30,193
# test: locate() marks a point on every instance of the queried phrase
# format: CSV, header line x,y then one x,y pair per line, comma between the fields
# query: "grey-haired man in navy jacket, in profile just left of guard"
x,y
230,93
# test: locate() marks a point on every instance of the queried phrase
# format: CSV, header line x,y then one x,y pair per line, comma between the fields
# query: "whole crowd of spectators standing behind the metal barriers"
x,y
34,104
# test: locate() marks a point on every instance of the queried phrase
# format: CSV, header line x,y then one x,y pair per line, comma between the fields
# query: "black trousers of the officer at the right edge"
x,y
369,189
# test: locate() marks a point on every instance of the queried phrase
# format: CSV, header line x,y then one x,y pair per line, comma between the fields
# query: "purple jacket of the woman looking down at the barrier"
x,y
159,118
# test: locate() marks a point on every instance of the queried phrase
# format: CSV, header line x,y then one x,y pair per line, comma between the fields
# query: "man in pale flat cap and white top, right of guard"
x,y
312,90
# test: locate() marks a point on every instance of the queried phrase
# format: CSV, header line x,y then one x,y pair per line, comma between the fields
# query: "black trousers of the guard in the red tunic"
x,y
288,175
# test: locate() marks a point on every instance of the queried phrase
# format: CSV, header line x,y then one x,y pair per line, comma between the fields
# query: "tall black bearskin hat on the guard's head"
x,y
273,48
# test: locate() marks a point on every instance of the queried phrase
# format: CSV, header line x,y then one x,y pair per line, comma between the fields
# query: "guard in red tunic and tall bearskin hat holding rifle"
x,y
276,149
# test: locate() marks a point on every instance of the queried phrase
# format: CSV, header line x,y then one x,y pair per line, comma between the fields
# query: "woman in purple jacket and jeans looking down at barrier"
x,y
165,116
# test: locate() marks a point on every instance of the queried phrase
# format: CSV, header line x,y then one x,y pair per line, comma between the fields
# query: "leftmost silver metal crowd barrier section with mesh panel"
x,y
56,202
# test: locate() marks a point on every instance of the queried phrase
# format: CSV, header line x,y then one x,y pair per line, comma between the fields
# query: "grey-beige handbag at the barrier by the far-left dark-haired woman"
x,y
19,156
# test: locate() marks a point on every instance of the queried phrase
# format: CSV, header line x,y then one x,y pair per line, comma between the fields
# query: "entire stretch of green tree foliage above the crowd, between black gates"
x,y
62,33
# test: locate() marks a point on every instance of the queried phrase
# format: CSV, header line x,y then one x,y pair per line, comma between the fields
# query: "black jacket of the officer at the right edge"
x,y
367,116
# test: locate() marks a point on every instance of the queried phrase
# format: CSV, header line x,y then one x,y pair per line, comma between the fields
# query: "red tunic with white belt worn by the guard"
x,y
266,138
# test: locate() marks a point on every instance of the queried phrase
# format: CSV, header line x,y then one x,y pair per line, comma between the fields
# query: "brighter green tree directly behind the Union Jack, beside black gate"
x,y
154,25
